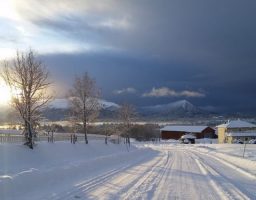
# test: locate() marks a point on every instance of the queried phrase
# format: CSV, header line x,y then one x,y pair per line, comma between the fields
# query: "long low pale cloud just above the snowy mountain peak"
x,y
165,92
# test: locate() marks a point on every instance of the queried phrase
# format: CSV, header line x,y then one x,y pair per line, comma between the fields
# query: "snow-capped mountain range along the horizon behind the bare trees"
x,y
59,110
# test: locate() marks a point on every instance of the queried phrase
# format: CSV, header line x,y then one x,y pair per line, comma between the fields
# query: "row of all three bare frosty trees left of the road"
x,y
28,79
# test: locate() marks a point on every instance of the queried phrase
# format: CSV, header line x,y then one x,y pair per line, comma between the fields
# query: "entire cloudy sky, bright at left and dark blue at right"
x,y
143,52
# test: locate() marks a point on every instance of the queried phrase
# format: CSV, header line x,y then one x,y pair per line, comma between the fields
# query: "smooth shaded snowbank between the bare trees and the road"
x,y
52,168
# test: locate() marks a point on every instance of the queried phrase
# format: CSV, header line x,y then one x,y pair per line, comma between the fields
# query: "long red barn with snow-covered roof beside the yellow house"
x,y
176,132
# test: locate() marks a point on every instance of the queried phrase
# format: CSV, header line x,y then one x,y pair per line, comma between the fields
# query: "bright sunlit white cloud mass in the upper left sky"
x,y
45,26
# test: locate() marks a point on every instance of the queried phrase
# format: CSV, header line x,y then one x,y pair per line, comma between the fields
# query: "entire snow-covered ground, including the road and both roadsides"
x,y
148,171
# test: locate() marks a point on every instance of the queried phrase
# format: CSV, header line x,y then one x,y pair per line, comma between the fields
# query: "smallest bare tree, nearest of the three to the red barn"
x,y
127,115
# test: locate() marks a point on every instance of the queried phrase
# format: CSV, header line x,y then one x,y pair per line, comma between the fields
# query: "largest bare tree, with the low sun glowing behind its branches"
x,y
27,78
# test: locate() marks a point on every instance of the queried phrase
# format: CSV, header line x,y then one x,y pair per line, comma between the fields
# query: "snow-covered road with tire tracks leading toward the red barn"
x,y
175,173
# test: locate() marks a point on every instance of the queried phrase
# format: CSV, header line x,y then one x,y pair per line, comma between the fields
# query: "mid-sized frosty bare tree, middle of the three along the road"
x,y
84,101
